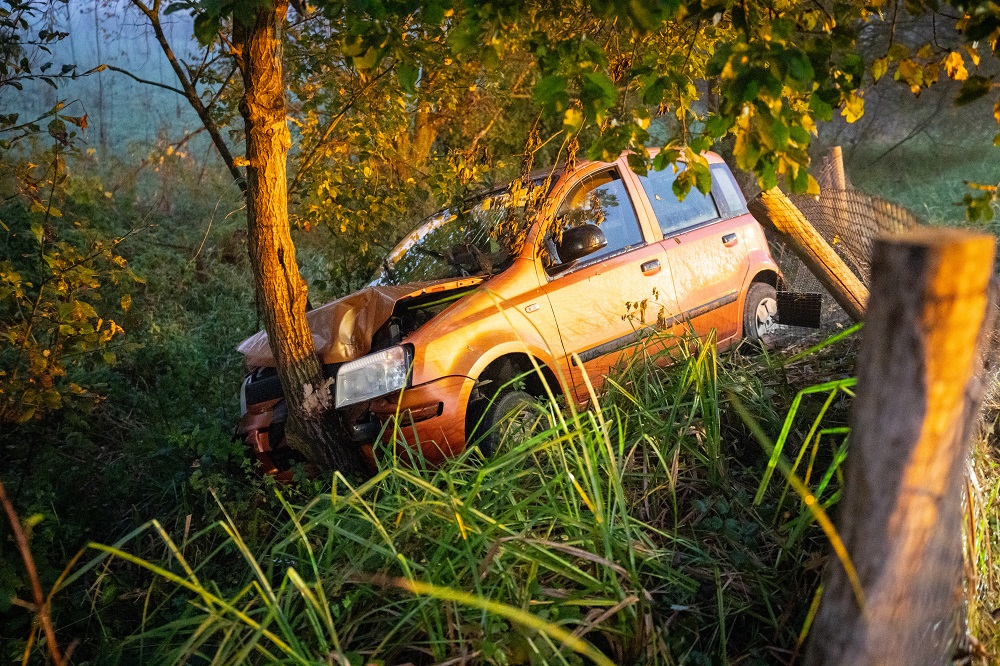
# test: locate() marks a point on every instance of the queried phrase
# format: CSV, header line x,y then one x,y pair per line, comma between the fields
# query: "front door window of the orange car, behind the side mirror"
x,y
600,199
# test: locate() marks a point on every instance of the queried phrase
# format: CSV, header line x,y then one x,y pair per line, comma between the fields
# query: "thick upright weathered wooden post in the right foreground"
x,y
916,405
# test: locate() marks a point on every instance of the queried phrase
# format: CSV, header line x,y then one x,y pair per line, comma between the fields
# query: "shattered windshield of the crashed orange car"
x,y
479,237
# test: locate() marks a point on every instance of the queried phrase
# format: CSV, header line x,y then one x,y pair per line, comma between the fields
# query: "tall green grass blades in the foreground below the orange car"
x,y
625,534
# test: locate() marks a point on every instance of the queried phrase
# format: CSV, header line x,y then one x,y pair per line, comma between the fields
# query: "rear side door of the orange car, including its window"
x,y
704,248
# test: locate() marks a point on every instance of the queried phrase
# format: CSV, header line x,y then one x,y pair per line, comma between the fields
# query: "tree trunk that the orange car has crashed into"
x,y
281,292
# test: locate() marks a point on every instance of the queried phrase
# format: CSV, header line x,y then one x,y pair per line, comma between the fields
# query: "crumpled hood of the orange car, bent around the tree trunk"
x,y
343,329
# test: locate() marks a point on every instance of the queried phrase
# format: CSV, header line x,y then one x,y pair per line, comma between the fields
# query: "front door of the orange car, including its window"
x,y
612,300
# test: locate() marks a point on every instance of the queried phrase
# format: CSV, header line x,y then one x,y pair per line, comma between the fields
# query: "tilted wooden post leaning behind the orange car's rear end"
x,y
776,211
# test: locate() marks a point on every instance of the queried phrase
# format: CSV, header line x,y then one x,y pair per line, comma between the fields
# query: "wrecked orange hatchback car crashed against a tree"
x,y
468,300
